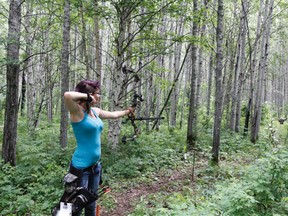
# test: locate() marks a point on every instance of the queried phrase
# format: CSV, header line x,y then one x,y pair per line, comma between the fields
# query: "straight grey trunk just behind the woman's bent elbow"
x,y
65,73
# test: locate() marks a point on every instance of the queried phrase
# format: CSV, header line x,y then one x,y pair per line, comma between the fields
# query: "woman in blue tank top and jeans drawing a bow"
x,y
87,127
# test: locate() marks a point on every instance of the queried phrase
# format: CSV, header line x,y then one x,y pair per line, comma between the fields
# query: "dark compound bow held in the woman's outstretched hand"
x,y
137,99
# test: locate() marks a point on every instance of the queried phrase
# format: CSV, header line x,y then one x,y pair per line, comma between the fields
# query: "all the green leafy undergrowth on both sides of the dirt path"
x,y
251,179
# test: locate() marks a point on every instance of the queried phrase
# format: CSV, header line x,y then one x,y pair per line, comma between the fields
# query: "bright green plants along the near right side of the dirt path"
x,y
260,188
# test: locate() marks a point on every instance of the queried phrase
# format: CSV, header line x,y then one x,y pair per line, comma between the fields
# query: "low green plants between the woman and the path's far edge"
x,y
148,154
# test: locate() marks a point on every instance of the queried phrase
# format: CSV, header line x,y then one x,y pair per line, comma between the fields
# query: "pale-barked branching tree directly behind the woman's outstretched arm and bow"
x,y
126,10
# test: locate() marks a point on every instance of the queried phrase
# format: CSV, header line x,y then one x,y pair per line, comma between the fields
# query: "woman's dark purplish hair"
x,y
89,87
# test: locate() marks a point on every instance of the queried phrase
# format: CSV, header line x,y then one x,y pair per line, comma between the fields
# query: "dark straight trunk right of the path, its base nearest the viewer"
x,y
218,90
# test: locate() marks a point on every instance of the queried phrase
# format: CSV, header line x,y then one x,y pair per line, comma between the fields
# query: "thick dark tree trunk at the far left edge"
x,y
12,78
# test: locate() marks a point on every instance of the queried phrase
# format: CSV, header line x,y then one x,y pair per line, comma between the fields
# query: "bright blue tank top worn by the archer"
x,y
88,136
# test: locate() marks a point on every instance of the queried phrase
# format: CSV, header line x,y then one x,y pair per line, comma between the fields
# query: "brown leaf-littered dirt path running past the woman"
x,y
126,199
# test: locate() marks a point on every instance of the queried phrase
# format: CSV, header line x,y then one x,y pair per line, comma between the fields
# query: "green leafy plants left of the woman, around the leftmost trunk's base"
x,y
35,184
